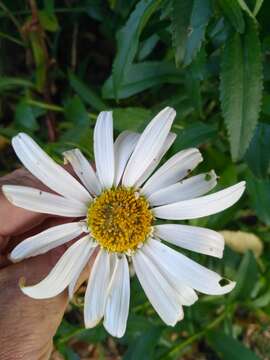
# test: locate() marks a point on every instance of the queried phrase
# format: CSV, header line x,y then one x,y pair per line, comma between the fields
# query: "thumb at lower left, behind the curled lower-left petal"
x,y
29,323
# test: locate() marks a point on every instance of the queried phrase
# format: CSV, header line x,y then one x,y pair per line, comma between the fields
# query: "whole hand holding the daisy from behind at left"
x,y
27,326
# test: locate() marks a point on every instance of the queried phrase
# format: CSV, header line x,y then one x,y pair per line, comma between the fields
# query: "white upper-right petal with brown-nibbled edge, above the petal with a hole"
x,y
175,169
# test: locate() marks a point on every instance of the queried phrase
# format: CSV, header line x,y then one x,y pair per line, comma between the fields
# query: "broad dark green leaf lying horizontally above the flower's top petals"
x,y
143,76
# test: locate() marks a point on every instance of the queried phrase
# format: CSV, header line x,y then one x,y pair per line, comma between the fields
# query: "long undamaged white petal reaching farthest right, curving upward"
x,y
202,206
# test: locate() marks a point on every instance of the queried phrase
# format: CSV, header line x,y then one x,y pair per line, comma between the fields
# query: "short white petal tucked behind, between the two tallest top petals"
x,y
123,148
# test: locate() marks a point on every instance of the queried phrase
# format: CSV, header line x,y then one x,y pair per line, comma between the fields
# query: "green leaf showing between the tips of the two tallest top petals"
x,y
132,119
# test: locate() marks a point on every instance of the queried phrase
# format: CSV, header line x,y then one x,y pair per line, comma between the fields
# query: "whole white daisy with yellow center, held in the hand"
x,y
117,207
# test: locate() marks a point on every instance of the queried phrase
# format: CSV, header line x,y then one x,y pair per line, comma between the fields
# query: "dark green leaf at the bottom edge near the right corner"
x,y
229,348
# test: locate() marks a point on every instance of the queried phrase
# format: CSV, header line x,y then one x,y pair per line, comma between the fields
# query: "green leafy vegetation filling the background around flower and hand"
x,y
64,61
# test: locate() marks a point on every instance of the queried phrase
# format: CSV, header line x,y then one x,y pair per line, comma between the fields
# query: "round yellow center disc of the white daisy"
x,y
119,219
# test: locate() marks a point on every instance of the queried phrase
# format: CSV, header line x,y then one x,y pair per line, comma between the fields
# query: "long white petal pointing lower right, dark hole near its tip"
x,y
191,273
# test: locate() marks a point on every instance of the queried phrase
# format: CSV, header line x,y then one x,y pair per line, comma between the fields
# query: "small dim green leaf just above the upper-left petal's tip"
x,y
25,116
